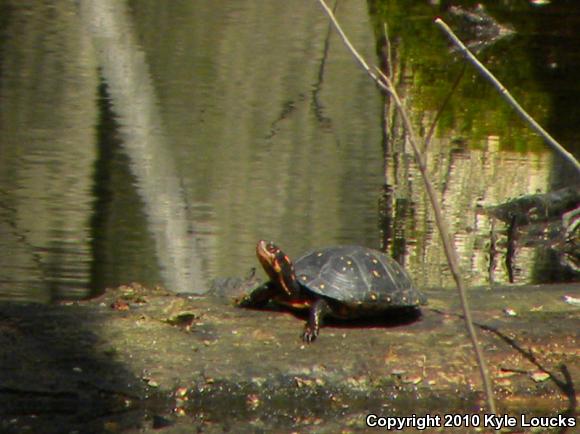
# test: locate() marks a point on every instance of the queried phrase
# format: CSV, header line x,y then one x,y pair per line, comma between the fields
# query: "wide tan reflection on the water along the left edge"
x,y
47,153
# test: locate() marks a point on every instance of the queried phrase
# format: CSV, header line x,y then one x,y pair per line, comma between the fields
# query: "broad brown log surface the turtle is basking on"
x,y
140,360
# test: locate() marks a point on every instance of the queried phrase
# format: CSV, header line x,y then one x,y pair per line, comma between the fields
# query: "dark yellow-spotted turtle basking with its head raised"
x,y
343,282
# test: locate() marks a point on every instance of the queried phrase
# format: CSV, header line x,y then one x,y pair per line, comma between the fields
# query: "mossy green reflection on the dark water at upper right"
x,y
428,67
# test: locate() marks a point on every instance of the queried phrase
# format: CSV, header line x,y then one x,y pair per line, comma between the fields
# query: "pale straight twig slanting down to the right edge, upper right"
x,y
506,95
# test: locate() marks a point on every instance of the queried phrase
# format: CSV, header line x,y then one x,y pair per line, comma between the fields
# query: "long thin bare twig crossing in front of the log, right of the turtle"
x,y
385,83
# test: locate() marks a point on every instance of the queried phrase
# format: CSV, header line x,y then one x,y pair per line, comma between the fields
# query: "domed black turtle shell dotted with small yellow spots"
x,y
358,277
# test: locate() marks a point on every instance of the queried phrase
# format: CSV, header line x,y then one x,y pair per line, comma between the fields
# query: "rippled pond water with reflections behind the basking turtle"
x,y
157,141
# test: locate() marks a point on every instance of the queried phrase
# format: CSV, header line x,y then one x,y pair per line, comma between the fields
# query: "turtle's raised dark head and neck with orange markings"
x,y
279,267
